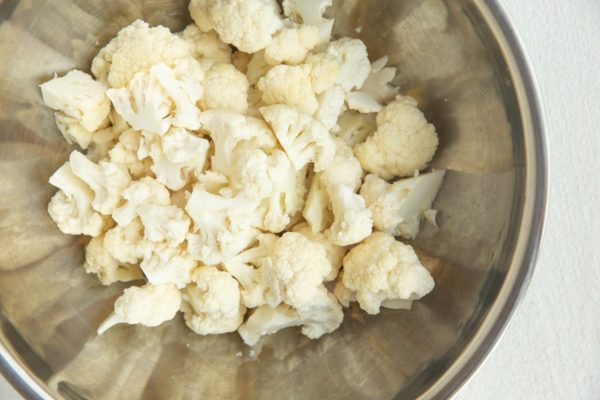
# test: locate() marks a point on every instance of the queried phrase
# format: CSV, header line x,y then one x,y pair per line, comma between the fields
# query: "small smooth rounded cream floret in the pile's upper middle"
x,y
225,88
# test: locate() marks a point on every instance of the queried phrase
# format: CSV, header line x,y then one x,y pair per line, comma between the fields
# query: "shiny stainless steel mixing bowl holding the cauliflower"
x,y
464,63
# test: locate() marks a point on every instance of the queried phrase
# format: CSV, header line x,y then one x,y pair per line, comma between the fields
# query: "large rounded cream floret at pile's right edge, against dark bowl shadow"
x,y
403,143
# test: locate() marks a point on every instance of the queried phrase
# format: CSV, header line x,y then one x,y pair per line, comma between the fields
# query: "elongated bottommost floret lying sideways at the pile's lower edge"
x,y
322,316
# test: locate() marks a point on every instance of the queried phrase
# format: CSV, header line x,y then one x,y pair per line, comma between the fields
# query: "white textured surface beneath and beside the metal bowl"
x,y
551,350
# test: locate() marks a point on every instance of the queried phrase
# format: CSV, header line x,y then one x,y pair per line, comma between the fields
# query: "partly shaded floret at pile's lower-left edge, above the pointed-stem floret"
x,y
99,261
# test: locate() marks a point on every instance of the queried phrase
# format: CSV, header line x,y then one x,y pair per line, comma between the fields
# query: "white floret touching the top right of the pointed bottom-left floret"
x,y
165,264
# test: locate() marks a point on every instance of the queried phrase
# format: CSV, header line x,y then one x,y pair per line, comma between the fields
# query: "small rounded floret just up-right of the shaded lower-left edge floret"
x,y
126,243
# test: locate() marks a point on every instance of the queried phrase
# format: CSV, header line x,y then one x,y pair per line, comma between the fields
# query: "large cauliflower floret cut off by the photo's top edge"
x,y
246,24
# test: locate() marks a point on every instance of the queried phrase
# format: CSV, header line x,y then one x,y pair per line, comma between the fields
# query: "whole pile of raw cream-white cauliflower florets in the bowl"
x,y
225,166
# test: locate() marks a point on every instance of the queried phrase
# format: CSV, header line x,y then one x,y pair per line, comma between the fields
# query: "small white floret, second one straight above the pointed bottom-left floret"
x,y
164,223
